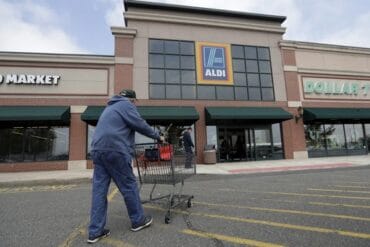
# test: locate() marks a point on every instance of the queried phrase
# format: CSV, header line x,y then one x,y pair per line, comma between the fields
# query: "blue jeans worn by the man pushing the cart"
x,y
117,166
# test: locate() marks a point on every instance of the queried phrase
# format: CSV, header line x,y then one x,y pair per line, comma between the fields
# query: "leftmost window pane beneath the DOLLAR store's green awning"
x,y
315,137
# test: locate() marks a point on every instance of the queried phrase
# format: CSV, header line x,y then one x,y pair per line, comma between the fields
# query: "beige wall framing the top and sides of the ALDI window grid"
x,y
174,31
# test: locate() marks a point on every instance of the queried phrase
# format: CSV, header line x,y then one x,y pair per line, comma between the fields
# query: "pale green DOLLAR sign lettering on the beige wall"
x,y
331,88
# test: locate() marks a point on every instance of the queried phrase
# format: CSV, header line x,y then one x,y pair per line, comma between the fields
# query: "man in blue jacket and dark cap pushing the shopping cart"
x,y
112,150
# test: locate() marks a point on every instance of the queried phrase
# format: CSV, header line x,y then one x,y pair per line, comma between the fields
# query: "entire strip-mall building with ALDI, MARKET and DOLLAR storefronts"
x,y
245,91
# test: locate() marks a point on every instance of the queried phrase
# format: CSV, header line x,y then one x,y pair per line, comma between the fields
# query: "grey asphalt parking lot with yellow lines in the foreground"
x,y
311,208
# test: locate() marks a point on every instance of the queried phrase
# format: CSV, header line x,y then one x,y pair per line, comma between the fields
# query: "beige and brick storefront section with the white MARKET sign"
x,y
41,99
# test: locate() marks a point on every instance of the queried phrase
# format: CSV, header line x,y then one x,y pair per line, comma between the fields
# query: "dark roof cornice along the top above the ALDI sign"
x,y
200,10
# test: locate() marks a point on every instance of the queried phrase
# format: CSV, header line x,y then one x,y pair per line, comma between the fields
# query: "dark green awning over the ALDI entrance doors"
x,y
240,114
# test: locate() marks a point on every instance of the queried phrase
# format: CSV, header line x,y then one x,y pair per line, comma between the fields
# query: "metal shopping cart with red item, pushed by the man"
x,y
159,164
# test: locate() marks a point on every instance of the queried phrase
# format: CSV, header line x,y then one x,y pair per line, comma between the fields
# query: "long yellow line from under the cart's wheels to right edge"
x,y
274,224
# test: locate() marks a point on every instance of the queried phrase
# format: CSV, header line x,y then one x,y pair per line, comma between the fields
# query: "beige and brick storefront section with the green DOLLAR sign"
x,y
329,85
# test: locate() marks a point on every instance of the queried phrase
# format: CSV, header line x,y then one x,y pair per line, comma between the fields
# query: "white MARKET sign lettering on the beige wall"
x,y
18,79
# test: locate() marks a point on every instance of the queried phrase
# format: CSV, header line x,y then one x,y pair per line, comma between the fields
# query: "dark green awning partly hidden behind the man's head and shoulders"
x,y
186,115
